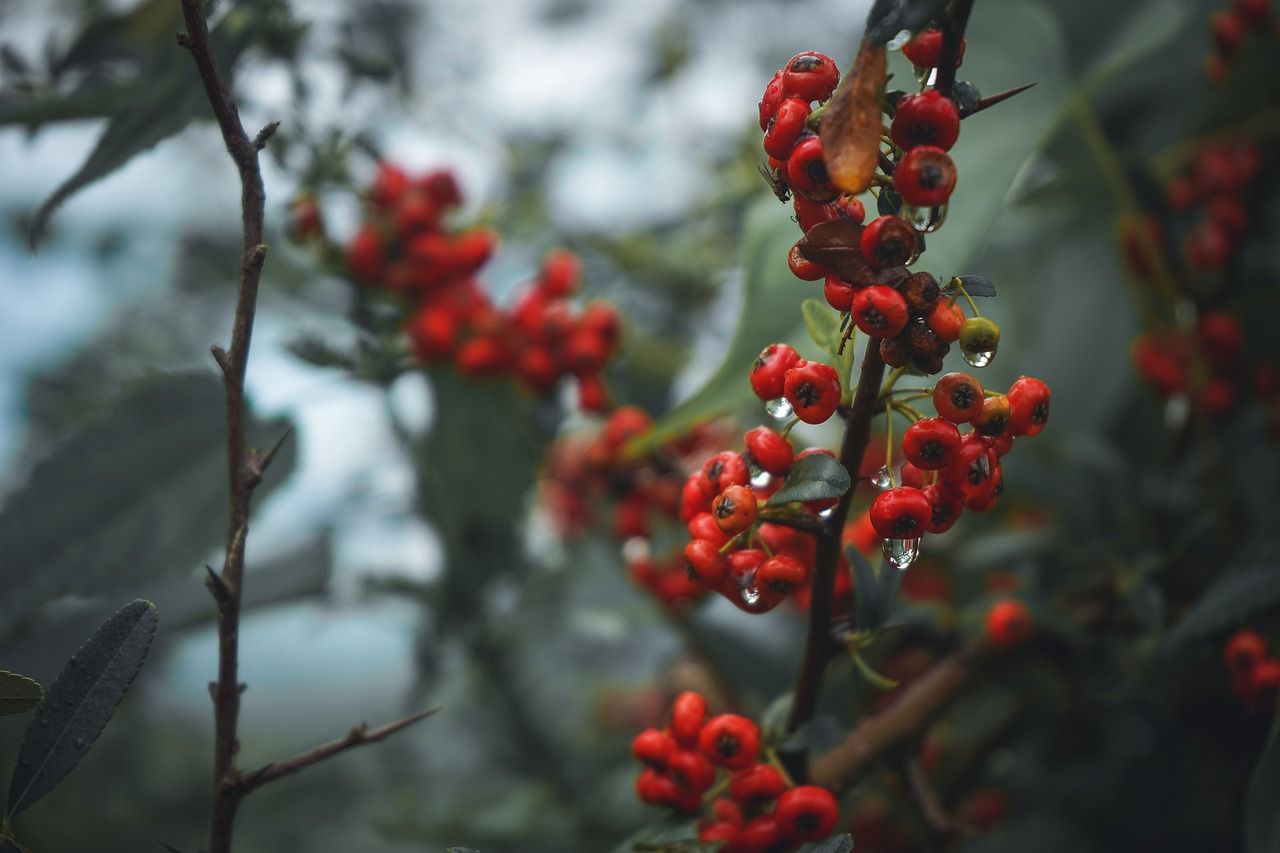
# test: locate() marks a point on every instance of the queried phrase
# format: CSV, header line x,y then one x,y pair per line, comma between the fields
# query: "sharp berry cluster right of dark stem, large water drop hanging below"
x,y
947,472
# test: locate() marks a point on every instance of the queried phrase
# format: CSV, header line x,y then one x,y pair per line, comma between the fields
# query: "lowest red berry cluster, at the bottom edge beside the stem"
x,y
764,813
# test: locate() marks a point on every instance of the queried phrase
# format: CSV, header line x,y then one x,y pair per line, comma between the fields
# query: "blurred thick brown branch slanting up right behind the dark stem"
x,y
916,708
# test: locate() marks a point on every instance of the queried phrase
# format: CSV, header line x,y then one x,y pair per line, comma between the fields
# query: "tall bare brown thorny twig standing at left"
x,y
241,469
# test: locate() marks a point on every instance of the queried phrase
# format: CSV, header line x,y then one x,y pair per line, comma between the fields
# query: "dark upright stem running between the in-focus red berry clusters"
x,y
820,645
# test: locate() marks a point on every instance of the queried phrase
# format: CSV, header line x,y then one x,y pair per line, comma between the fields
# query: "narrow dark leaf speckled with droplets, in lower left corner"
x,y
81,703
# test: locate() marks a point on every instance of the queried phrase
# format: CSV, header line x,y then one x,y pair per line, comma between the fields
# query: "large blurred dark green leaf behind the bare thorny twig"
x,y
138,494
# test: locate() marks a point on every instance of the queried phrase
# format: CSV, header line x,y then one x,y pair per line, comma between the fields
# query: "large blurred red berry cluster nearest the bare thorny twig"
x,y
404,247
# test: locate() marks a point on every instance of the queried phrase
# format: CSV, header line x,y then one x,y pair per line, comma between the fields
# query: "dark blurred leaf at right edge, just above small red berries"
x,y
1249,586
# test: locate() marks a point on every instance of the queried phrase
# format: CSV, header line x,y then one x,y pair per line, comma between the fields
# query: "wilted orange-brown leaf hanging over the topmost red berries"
x,y
851,127
